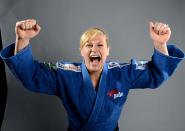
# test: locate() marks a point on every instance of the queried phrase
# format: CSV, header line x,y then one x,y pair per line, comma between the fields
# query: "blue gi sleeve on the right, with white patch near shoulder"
x,y
151,74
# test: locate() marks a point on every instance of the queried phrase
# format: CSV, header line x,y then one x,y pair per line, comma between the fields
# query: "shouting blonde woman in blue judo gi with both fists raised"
x,y
93,92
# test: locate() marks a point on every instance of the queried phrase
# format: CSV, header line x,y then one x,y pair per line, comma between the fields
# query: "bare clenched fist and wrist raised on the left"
x,y
25,30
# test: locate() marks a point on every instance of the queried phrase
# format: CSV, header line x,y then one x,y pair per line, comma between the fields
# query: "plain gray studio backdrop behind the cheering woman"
x,y
126,22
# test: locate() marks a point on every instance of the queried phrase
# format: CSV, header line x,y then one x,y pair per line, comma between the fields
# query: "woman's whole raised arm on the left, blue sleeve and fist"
x,y
35,76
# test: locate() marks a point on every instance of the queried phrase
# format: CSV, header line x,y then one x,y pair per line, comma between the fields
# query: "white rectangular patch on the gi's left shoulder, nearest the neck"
x,y
70,67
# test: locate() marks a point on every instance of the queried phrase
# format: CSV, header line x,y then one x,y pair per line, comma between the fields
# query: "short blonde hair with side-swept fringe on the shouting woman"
x,y
91,33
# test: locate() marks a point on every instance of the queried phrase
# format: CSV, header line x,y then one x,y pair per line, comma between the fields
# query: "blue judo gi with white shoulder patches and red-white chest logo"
x,y
88,109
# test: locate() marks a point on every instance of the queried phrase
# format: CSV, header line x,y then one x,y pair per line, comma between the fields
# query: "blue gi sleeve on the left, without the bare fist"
x,y
35,76
